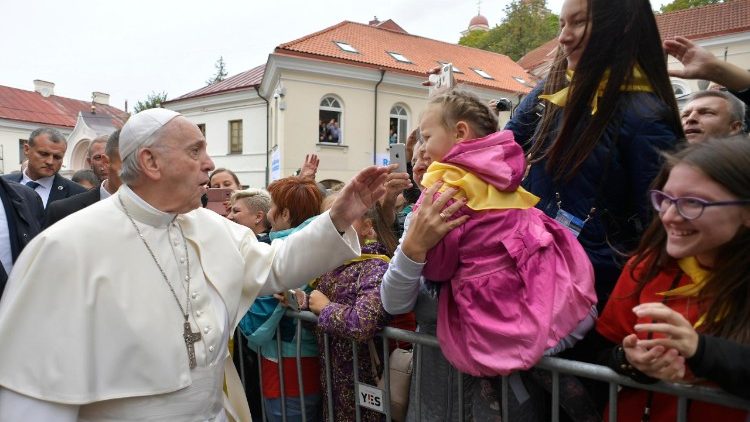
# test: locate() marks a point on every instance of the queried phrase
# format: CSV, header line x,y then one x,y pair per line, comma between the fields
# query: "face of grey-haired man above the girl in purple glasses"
x,y
708,117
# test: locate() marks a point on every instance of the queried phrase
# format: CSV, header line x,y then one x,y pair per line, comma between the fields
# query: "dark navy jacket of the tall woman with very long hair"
x,y
614,179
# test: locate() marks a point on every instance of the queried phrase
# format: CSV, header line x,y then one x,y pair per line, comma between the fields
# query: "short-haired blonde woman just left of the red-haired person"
x,y
250,208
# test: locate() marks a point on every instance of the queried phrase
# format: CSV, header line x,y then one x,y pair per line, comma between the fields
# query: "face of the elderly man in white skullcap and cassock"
x,y
184,165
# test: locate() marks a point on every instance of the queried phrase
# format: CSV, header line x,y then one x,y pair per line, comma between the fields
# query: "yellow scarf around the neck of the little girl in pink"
x,y
480,194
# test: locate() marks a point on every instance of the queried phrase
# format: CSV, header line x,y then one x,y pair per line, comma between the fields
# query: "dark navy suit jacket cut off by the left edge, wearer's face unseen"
x,y
21,217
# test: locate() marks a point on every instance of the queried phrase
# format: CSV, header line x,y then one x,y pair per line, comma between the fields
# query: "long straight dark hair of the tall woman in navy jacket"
x,y
623,34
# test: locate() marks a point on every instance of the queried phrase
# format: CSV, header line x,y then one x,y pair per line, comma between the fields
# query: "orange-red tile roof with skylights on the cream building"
x,y
373,44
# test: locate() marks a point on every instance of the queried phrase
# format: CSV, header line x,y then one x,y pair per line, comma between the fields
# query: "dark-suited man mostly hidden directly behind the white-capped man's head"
x,y
63,208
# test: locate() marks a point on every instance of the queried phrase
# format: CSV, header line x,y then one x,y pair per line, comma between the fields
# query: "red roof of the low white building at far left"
x,y
32,107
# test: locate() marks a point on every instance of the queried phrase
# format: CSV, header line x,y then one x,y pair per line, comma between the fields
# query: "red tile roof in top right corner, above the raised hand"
x,y
706,21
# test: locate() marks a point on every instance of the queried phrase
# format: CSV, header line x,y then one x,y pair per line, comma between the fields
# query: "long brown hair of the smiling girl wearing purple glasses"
x,y
726,295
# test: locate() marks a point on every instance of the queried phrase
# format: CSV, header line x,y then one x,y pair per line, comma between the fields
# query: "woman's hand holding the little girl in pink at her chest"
x,y
431,222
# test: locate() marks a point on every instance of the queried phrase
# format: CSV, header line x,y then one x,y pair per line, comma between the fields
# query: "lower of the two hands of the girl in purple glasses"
x,y
656,362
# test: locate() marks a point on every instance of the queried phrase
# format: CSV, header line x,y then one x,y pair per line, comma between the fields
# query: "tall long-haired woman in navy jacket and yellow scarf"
x,y
607,111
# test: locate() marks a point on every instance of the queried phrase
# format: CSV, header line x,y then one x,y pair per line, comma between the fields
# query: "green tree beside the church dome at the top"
x,y
527,25
